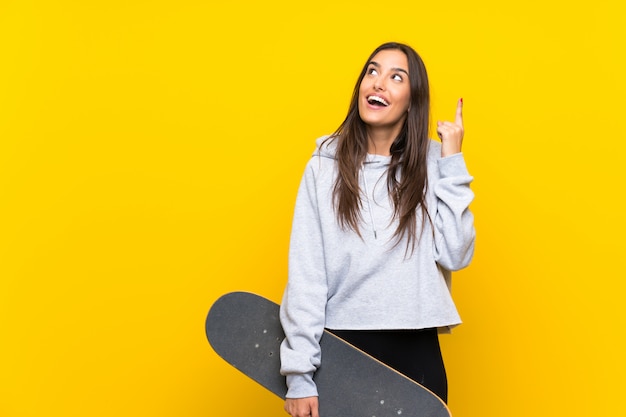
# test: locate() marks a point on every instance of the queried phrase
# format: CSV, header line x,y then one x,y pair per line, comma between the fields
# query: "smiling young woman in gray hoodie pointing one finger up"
x,y
382,217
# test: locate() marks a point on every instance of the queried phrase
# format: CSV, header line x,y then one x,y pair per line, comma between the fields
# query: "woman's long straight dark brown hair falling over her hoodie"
x,y
407,178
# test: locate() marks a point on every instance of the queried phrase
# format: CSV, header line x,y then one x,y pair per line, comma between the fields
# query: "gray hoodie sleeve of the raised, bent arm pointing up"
x,y
454,223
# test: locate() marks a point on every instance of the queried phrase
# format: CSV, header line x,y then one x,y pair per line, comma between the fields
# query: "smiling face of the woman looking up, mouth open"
x,y
385,91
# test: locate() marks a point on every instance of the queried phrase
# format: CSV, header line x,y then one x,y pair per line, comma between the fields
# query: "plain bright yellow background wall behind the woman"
x,y
150,153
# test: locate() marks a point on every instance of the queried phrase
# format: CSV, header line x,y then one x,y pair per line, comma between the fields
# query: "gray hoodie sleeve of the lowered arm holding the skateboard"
x,y
302,312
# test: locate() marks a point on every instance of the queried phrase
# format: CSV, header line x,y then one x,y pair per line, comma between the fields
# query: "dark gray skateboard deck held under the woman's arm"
x,y
244,329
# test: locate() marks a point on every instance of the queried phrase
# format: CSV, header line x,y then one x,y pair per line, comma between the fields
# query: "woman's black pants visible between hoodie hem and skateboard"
x,y
414,353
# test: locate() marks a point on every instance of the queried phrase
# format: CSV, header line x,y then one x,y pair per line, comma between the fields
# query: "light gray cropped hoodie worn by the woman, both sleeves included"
x,y
339,280
